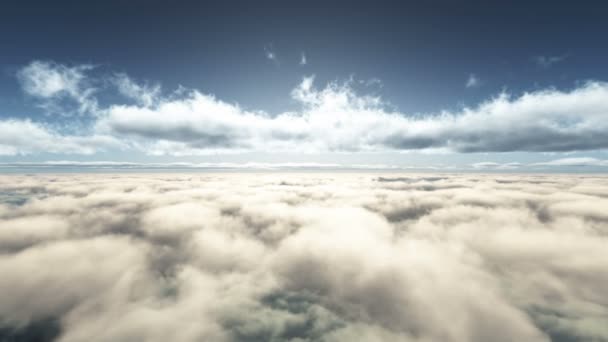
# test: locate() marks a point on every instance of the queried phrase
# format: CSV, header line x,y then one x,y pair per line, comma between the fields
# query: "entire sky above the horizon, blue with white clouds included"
x,y
480,86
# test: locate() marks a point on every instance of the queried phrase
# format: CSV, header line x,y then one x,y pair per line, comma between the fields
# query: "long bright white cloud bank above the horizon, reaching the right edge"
x,y
335,118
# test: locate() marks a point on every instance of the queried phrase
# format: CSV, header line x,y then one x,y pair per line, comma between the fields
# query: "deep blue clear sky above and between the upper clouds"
x,y
423,54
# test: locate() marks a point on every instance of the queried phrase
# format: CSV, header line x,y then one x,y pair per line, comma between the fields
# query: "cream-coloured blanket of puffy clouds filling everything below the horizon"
x,y
303,257
